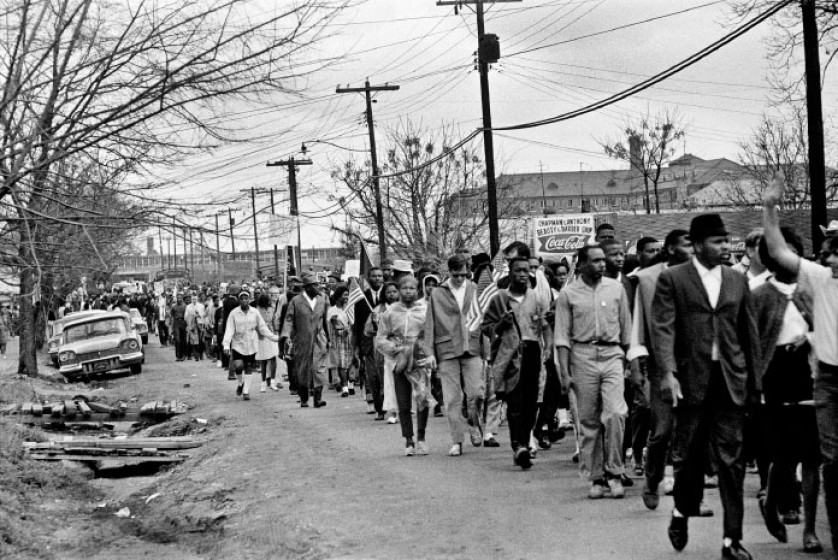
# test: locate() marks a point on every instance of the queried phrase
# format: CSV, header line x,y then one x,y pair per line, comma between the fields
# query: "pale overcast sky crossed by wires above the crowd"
x,y
428,51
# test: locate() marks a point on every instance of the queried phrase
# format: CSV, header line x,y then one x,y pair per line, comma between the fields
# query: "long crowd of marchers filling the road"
x,y
681,360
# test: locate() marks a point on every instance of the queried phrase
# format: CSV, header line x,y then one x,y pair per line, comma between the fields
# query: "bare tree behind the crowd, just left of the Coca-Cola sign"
x,y
433,206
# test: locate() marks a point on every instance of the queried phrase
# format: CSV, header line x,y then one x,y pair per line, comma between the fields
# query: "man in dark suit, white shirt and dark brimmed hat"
x,y
704,339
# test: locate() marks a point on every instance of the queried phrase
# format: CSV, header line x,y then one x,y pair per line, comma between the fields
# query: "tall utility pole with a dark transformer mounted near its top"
x,y
488,51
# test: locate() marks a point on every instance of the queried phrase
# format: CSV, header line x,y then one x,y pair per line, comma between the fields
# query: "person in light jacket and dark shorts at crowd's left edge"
x,y
241,339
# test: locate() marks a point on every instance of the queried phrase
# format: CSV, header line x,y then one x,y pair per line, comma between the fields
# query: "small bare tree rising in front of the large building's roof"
x,y
648,147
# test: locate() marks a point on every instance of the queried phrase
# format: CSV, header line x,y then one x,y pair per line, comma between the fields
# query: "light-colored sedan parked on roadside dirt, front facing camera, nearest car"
x,y
99,344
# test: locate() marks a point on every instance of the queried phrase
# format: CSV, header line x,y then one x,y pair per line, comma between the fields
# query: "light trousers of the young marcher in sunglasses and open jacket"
x,y
456,375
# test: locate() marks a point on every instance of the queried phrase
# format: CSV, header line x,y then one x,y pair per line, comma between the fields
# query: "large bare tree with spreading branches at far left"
x,y
122,85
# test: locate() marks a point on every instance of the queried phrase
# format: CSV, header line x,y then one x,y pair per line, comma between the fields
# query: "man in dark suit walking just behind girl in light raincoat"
x,y
373,383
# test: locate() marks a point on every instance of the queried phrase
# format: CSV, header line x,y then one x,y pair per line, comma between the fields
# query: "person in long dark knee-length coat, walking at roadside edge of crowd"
x,y
306,328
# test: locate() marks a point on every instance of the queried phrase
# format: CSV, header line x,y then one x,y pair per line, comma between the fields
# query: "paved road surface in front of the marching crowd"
x,y
332,483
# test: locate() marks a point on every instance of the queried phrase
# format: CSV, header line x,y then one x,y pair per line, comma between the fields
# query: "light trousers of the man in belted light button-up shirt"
x,y
599,382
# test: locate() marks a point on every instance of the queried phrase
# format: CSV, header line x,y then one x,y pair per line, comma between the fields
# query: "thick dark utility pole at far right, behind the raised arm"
x,y
814,116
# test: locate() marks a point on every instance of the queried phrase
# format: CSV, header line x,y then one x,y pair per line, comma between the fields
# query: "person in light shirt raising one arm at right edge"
x,y
822,282
